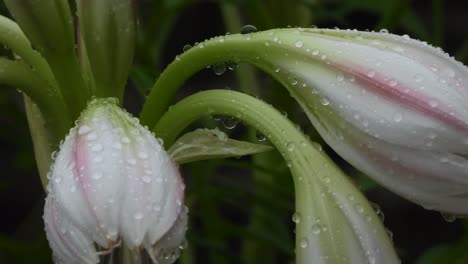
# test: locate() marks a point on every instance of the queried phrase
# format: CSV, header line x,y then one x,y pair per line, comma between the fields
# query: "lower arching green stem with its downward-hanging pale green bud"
x,y
321,189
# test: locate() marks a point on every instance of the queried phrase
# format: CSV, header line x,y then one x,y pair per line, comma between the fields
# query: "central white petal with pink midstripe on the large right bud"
x,y
340,81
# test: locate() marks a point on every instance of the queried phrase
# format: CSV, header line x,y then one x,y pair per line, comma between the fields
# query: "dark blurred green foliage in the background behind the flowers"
x,y
241,209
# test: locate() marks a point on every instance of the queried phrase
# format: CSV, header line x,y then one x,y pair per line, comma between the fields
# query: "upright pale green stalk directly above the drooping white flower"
x,y
108,36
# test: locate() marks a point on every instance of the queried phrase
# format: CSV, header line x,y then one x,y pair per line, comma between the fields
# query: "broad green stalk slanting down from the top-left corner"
x,y
49,27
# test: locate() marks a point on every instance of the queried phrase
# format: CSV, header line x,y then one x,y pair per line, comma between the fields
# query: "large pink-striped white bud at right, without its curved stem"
x,y
394,107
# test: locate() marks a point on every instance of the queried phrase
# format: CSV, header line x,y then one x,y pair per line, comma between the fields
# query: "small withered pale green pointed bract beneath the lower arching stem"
x,y
203,144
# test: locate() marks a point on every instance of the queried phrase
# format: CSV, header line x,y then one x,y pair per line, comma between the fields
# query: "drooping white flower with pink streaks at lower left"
x,y
113,185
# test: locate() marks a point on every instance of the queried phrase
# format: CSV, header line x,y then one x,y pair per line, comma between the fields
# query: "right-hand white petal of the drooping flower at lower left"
x,y
152,199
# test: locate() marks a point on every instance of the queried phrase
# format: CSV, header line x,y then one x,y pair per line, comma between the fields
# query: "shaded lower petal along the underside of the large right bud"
x,y
436,180
